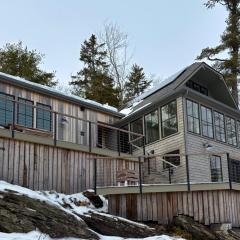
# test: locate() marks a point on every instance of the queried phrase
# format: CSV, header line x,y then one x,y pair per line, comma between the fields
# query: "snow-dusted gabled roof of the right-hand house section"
x,y
172,85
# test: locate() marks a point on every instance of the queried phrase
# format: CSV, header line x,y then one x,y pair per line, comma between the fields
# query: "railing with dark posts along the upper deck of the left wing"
x,y
67,127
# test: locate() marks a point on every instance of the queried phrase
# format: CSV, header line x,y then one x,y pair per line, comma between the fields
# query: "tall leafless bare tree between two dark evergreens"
x,y
116,43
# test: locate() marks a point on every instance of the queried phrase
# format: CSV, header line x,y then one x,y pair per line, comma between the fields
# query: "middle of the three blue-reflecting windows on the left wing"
x,y
25,113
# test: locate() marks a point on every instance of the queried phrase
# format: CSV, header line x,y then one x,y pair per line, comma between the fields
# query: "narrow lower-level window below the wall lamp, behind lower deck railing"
x,y
216,169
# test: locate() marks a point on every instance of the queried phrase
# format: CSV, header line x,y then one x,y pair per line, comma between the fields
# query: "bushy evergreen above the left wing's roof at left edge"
x,y
17,60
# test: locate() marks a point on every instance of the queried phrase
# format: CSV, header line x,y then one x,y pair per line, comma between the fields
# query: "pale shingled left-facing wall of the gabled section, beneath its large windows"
x,y
168,144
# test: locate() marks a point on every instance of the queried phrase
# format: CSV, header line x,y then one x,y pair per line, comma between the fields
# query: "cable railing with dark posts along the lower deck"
x,y
157,170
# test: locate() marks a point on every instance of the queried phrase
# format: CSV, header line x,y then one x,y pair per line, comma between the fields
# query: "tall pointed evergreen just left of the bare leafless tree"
x,y
93,81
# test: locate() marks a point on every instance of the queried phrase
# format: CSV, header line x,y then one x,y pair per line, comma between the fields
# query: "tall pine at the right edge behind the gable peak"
x,y
230,42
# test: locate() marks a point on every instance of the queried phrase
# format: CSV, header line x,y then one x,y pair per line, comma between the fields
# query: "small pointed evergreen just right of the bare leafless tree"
x,y
136,83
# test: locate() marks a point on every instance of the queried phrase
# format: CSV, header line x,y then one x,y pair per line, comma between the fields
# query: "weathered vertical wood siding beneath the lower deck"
x,y
218,206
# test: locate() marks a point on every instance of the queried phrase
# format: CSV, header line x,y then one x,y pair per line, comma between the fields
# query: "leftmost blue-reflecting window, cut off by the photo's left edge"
x,y
6,109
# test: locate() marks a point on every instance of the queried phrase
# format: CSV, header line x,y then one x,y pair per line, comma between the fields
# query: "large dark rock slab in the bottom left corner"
x,y
19,213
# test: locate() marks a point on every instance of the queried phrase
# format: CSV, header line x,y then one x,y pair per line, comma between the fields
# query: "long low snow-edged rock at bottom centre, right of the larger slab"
x,y
108,225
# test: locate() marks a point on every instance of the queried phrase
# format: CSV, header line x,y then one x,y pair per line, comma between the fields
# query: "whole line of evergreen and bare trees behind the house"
x,y
106,75
